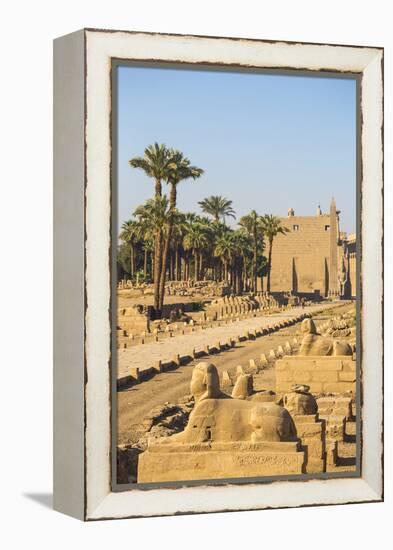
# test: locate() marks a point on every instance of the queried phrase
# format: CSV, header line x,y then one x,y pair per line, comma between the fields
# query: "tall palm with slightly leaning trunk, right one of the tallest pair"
x,y
179,169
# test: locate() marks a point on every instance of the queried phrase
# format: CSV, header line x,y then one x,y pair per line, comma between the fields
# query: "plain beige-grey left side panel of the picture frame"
x,y
69,275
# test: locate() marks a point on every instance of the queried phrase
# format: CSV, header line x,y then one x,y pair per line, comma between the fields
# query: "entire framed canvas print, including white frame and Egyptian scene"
x,y
218,274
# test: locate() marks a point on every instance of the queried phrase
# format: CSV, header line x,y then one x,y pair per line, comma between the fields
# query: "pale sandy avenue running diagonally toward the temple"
x,y
146,355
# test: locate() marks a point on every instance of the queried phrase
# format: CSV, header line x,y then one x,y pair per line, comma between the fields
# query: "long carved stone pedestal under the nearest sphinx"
x,y
181,462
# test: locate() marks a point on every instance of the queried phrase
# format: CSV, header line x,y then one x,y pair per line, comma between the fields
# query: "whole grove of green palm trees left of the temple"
x,y
160,242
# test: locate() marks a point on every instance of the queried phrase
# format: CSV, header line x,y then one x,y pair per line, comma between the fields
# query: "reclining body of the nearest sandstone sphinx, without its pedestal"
x,y
216,417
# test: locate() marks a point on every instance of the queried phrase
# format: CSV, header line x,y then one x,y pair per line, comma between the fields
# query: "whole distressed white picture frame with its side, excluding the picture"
x,y
82,246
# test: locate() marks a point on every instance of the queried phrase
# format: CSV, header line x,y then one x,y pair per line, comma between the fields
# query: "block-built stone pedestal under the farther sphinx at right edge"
x,y
322,374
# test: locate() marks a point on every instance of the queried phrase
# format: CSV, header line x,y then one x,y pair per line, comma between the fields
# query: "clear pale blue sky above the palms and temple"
x,y
267,142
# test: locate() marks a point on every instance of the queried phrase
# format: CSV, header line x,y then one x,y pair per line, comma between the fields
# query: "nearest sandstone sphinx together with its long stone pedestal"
x,y
224,438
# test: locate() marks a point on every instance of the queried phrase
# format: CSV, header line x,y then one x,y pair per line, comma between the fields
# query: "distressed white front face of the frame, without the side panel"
x,y
100,48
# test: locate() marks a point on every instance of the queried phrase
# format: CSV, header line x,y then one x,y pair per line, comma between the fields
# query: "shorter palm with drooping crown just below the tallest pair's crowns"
x,y
154,214
